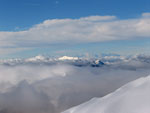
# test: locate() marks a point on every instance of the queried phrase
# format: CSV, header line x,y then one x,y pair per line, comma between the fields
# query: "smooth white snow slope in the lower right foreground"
x,y
131,98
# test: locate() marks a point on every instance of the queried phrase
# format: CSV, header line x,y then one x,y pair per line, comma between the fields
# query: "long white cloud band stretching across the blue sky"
x,y
82,30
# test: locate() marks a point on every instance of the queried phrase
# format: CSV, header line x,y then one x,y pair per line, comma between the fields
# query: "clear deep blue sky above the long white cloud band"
x,y
23,14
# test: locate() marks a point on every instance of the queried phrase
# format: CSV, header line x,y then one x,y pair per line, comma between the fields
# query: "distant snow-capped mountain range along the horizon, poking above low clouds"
x,y
126,62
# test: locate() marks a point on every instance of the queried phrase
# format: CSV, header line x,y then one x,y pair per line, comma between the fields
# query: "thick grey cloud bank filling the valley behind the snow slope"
x,y
38,87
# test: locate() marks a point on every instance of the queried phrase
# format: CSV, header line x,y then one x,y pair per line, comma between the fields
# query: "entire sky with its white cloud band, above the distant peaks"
x,y
74,27
